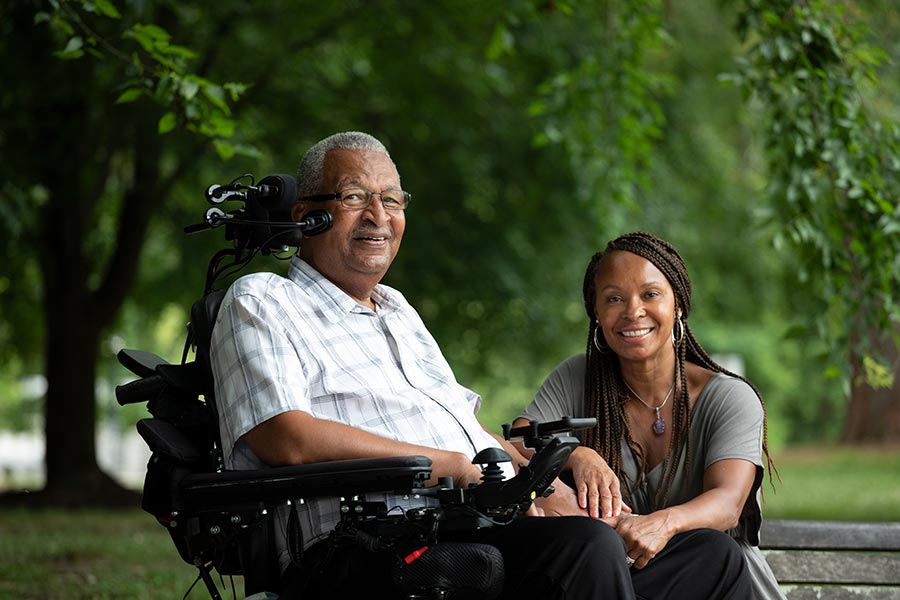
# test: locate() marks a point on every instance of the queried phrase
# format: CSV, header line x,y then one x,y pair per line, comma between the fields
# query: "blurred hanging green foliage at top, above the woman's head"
x,y
606,108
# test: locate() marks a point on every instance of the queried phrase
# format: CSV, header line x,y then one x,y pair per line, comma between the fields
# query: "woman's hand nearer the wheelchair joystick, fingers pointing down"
x,y
596,485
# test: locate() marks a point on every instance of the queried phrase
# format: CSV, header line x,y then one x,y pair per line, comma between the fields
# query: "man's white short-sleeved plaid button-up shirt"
x,y
303,344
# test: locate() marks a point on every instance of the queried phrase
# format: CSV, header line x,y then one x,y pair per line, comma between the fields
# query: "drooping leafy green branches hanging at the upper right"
x,y
833,164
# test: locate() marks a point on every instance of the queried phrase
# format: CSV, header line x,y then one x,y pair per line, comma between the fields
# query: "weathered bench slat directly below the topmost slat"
x,y
834,567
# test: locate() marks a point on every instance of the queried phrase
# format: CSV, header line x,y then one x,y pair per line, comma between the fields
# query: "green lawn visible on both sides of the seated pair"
x,y
106,555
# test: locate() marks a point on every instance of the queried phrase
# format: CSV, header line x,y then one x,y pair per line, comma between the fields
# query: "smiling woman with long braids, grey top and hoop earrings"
x,y
679,439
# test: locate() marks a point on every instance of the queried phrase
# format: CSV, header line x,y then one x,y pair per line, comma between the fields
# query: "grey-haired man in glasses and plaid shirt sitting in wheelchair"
x,y
330,364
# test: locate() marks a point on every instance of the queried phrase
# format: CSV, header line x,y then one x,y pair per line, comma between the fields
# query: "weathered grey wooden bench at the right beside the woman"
x,y
834,560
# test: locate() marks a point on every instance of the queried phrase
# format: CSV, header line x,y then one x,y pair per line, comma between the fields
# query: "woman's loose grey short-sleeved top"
x,y
726,423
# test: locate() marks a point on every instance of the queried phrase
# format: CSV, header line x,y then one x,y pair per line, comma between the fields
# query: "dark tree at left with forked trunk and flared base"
x,y
82,141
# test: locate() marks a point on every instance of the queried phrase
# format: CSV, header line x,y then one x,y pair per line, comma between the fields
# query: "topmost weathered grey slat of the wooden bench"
x,y
829,535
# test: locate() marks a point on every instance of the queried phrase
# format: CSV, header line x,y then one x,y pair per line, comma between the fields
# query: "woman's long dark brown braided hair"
x,y
605,393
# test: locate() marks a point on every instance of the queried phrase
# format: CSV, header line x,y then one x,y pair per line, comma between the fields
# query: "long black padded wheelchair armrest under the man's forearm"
x,y
232,490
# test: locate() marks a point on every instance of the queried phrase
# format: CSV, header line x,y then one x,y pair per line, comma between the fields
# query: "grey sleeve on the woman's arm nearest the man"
x,y
561,394
